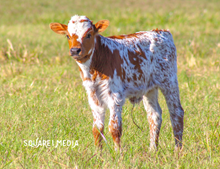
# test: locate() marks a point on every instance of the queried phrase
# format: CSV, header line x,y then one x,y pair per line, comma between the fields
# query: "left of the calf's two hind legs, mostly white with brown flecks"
x,y
154,114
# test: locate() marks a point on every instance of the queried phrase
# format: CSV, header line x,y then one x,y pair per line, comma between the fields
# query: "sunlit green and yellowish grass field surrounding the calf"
x,y
42,97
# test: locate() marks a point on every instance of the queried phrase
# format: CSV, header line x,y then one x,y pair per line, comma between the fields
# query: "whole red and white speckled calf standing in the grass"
x,y
130,66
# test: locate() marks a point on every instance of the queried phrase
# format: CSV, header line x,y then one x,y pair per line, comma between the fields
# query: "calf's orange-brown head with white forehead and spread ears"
x,y
80,33
